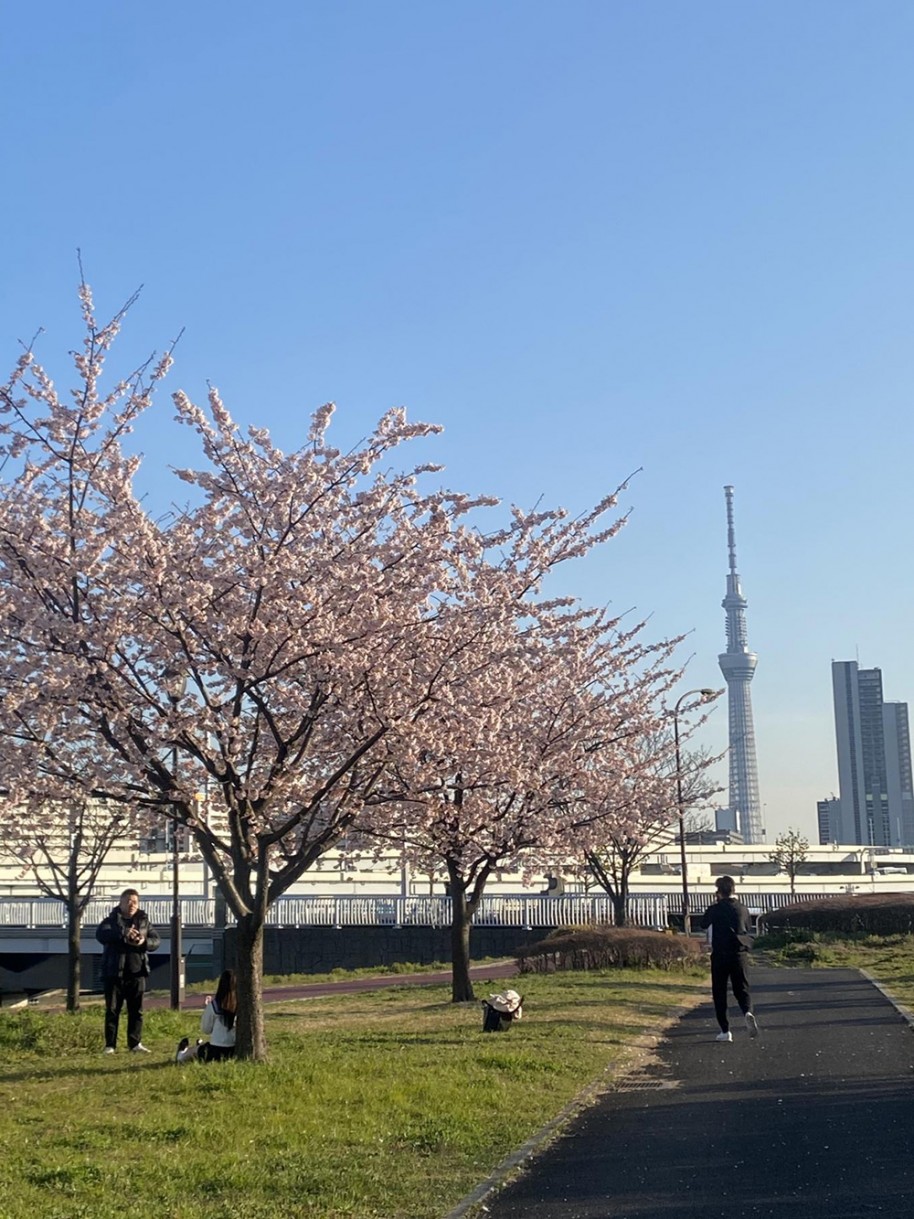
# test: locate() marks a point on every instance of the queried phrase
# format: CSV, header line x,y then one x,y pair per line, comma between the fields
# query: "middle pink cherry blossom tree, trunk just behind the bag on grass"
x,y
504,773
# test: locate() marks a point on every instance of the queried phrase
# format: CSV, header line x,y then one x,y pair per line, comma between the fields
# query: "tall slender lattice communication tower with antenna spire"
x,y
738,665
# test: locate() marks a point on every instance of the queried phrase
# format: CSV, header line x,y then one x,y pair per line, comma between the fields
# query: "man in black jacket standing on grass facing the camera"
x,y
129,939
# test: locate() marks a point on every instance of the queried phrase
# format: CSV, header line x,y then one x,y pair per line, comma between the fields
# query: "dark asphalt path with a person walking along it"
x,y
813,1120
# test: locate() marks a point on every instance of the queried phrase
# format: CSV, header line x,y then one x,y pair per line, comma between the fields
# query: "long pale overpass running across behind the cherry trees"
x,y
387,898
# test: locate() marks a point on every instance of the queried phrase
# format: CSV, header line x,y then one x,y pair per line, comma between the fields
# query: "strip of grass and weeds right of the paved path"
x,y
889,959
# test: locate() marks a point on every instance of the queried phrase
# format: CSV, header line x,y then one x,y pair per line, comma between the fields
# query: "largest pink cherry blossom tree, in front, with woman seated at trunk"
x,y
308,621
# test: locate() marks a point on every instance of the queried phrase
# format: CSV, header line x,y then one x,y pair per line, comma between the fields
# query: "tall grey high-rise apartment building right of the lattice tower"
x,y
876,805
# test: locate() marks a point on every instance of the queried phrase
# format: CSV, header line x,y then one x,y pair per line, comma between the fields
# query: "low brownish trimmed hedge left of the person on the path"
x,y
617,948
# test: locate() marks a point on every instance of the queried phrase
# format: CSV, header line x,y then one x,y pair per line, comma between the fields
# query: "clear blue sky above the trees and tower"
x,y
587,238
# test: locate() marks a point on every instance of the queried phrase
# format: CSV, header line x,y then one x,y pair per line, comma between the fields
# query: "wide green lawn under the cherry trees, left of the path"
x,y
391,1105
